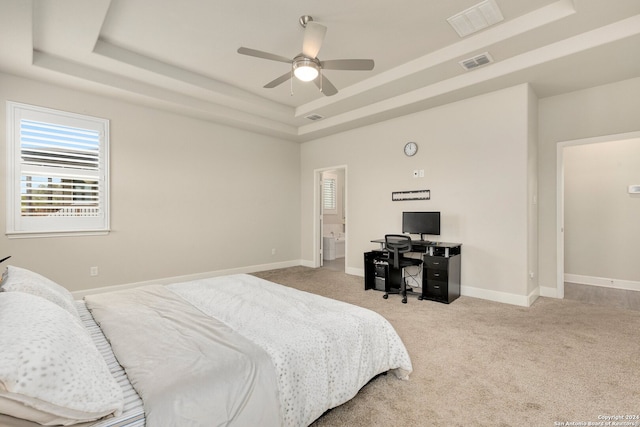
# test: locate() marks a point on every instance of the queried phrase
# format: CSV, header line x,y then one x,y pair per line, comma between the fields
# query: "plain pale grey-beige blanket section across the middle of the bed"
x,y
189,369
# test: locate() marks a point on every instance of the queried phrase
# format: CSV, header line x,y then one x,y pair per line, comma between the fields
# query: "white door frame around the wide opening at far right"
x,y
560,196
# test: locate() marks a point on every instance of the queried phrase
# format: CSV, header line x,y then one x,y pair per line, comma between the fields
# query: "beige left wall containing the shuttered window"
x,y
187,197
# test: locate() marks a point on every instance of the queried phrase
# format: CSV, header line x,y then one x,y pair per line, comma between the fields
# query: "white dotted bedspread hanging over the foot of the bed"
x,y
323,350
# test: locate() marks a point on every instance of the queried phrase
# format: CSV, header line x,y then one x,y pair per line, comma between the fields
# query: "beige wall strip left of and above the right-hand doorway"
x,y
603,110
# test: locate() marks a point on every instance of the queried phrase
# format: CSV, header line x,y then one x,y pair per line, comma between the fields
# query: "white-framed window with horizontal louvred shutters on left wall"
x,y
57,172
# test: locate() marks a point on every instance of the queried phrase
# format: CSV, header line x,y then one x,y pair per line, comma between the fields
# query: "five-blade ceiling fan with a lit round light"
x,y
306,66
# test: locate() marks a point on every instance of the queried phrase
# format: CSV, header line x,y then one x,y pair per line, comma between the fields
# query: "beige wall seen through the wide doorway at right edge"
x,y
602,230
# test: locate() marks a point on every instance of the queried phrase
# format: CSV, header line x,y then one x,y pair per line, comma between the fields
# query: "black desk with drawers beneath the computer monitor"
x,y
440,270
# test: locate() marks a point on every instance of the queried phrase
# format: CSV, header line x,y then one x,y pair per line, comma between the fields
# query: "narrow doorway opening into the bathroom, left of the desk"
x,y
331,222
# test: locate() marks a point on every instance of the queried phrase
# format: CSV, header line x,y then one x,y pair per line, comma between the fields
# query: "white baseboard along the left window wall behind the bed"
x,y
177,279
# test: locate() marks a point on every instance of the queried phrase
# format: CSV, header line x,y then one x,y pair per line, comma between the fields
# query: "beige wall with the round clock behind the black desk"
x,y
475,155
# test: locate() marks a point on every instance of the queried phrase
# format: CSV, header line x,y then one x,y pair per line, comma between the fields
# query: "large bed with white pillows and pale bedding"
x,y
231,350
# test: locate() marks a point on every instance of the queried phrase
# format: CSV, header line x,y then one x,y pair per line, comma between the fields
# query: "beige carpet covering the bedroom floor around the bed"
x,y
480,363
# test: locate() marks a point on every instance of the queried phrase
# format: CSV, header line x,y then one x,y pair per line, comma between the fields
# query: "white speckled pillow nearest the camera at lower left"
x,y
50,370
